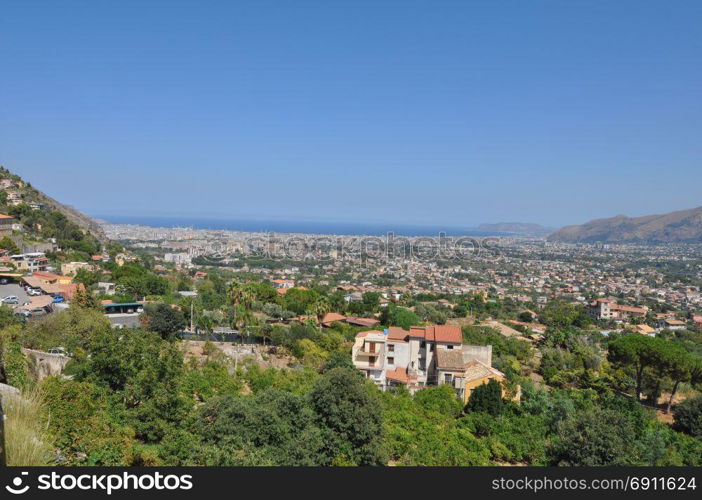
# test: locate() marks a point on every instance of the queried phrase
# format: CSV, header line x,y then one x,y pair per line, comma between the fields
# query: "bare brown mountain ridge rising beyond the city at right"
x,y
681,226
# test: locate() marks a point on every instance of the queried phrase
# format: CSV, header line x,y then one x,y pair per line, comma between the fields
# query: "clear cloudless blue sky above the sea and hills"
x,y
424,112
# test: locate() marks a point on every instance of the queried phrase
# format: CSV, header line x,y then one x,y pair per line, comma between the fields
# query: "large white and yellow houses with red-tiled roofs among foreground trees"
x,y
424,356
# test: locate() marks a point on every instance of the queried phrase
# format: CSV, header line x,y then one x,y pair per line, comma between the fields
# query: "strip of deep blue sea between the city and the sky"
x,y
305,227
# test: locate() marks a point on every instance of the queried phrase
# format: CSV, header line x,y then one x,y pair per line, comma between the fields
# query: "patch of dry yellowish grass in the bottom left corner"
x,y
26,438
